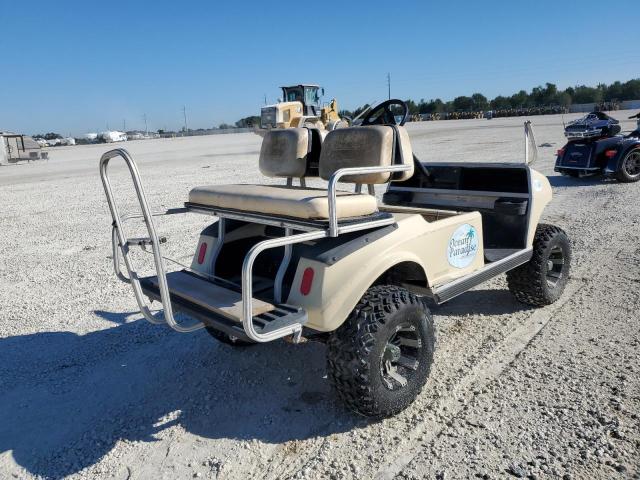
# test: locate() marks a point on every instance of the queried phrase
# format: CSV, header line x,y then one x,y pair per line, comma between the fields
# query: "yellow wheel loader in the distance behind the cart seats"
x,y
301,107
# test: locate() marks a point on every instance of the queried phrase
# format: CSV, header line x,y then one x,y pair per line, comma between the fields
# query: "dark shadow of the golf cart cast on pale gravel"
x,y
67,399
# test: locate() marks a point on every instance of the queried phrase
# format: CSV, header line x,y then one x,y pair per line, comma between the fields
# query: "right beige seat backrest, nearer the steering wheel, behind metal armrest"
x,y
370,146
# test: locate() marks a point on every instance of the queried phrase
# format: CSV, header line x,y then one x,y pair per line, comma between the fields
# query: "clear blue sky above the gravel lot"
x,y
74,67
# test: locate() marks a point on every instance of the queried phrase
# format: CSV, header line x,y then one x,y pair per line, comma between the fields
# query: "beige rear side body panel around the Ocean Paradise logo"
x,y
337,288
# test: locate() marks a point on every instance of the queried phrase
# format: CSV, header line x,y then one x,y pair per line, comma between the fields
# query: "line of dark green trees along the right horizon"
x,y
541,96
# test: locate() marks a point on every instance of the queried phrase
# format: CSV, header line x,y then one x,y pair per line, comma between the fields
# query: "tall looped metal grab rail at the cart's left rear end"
x,y
118,234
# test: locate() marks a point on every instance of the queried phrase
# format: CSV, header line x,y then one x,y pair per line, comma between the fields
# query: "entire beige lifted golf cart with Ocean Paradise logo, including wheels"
x,y
333,265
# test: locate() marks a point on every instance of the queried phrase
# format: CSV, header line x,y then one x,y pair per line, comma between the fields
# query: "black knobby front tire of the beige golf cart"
x,y
529,282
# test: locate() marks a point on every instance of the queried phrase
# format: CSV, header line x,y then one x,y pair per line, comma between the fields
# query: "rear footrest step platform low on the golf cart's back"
x,y
221,307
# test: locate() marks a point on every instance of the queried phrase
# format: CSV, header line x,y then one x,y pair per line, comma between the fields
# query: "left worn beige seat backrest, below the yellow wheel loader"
x,y
290,152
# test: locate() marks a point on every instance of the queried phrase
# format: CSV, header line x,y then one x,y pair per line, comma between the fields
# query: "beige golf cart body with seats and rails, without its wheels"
x,y
303,257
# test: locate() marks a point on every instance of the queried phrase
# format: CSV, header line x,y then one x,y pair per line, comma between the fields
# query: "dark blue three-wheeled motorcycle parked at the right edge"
x,y
595,147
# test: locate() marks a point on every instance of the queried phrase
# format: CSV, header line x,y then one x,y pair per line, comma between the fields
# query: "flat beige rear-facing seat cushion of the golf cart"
x,y
297,202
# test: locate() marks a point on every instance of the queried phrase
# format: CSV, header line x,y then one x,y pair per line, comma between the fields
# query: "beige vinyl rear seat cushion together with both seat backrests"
x,y
288,153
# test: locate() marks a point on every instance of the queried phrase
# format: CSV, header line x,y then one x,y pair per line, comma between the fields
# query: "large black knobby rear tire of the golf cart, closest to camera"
x,y
355,351
